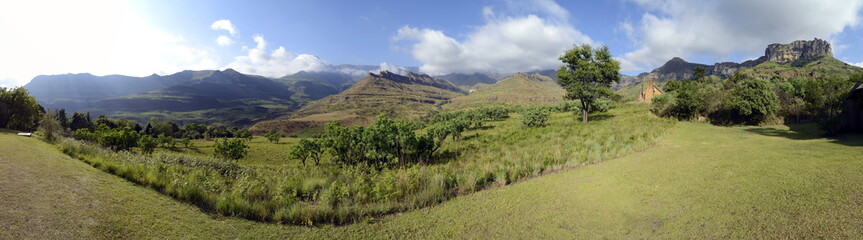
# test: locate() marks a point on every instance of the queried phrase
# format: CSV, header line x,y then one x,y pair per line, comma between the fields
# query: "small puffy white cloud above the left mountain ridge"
x,y
277,63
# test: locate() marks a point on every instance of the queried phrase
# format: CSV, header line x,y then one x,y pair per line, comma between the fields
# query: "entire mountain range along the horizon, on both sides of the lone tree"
x,y
352,93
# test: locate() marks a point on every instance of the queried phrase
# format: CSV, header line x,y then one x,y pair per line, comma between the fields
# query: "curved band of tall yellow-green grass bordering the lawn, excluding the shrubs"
x,y
501,154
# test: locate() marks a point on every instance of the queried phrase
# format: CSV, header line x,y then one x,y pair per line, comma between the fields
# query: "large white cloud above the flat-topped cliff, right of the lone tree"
x,y
682,28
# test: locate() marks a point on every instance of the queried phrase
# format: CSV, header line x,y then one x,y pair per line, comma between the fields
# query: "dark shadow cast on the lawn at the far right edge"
x,y
806,132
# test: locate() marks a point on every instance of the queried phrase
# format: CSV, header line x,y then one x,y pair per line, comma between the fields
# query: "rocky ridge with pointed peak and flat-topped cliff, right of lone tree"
x,y
677,68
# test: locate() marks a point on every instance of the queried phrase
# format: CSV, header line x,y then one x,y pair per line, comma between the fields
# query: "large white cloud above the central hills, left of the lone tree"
x,y
504,44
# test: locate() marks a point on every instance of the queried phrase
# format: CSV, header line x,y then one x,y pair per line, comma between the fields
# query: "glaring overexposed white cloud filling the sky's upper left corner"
x,y
100,37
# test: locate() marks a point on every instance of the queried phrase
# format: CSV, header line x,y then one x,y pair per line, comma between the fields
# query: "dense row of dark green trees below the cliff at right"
x,y
744,100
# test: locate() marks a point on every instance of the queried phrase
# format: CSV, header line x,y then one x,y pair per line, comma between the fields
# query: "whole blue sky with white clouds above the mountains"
x,y
276,38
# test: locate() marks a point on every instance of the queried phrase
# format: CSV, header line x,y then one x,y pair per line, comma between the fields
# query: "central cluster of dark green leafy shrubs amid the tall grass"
x,y
388,142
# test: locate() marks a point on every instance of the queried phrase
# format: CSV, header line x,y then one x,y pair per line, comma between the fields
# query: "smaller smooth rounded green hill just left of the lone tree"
x,y
520,89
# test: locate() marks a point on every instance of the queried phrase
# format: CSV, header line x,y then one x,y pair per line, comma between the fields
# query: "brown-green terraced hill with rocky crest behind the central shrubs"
x,y
409,96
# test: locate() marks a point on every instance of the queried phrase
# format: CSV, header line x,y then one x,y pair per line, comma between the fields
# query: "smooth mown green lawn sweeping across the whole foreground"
x,y
701,181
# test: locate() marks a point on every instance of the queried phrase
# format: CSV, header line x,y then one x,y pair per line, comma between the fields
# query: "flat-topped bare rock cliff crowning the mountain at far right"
x,y
785,53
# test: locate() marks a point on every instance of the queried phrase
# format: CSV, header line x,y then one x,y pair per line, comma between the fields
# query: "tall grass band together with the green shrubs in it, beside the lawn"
x,y
359,173
